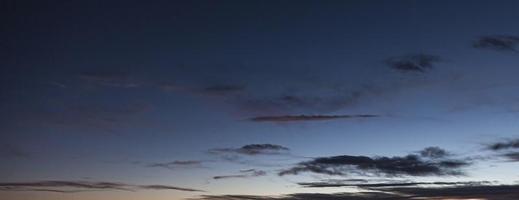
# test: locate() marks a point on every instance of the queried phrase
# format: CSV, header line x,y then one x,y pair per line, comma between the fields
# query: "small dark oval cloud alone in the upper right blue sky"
x,y
413,63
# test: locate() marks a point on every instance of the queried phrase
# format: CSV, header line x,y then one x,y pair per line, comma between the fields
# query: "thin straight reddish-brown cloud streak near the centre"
x,y
295,118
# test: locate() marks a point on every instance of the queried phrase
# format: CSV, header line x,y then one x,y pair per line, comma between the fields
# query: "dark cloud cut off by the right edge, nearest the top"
x,y
498,43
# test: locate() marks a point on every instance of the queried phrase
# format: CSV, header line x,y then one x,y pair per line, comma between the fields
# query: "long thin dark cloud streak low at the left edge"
x,y
82,186
